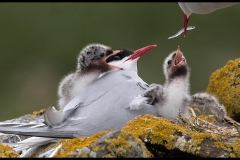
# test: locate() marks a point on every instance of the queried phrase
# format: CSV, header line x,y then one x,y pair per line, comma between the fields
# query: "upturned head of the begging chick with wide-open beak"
x,y
175,65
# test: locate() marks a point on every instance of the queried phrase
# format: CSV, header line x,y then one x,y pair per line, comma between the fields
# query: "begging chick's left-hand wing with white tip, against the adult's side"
x,y
149,96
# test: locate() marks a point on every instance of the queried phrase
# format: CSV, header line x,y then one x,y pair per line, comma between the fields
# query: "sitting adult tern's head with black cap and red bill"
x,y
126,58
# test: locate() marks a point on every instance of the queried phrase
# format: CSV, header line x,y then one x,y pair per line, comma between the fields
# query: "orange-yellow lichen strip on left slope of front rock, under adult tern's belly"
x,y
70,145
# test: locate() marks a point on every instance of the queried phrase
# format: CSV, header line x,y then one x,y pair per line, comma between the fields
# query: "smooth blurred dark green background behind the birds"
x,y
40,42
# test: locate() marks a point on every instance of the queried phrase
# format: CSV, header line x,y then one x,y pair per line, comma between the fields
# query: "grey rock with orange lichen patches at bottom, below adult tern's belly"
x,y
105,144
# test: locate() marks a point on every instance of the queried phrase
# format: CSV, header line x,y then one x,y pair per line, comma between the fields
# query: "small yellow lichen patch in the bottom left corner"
x,y
7,152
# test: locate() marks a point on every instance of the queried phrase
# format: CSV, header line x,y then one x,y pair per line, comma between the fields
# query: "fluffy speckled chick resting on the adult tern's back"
x,y
90,64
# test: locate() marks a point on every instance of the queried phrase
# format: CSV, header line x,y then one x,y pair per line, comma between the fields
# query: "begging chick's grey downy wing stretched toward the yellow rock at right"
x,y
205,99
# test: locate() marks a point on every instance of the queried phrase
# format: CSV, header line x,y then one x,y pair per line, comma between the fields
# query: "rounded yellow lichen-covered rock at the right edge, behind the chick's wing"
x,y
224,83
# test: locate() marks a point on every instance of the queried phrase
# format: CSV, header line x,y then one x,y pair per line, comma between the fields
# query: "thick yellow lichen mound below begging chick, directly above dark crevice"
x,y
158,129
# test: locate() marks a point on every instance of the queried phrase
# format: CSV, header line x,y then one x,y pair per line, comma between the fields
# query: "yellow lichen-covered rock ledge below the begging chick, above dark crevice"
x,y
162,132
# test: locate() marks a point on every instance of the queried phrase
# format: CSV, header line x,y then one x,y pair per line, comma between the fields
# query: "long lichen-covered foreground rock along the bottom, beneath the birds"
x,y
145,136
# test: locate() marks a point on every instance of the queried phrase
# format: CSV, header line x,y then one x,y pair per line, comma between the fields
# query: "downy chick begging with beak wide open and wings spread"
x,y
173,98
